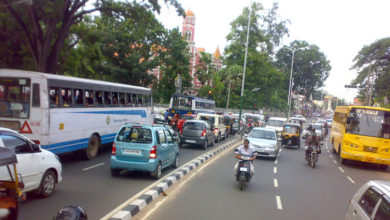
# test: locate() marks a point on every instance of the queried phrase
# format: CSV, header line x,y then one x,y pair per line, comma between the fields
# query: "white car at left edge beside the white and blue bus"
x,y
40,170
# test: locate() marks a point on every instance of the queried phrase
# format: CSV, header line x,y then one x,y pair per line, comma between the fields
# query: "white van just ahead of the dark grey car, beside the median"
x,y
216,121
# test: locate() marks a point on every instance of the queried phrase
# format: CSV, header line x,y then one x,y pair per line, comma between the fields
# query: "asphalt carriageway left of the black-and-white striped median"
x,y
89,184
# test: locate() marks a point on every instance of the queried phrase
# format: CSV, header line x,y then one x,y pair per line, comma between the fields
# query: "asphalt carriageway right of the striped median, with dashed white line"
x,y
283,189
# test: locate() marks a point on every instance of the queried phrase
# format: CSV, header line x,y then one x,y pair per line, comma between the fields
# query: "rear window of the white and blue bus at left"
x,y
14,97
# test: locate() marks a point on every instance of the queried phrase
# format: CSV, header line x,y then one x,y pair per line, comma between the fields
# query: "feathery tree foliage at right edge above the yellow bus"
x,y
374,59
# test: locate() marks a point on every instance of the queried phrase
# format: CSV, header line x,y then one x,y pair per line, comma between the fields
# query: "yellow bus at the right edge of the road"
x,y
362,133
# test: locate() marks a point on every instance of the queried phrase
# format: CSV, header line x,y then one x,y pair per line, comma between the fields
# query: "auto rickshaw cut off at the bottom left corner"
x,y
11,188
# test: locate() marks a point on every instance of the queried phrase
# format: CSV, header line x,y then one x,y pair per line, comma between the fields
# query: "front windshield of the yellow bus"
x,y
368,122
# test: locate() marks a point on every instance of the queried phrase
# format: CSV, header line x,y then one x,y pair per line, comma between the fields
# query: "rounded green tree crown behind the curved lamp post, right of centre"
x,y
311,68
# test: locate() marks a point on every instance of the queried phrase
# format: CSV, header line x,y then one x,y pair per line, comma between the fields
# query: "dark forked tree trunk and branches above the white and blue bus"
x,y
44,26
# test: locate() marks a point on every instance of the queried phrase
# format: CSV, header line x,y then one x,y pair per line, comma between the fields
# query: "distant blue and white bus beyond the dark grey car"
x,y
185,104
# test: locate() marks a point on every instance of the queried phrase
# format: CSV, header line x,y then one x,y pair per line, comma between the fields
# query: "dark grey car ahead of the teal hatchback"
x,y
197,132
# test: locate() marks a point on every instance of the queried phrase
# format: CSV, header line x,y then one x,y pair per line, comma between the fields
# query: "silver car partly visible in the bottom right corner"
x,y
371,201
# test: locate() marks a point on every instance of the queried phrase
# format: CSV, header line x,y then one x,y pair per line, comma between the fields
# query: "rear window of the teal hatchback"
x,y
135,135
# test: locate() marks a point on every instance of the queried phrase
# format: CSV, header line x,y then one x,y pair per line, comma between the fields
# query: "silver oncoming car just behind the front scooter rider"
x,y
265,140
